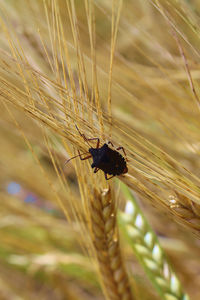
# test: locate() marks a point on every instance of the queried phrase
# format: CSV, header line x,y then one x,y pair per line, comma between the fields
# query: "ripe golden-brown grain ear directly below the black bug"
x,y
106,243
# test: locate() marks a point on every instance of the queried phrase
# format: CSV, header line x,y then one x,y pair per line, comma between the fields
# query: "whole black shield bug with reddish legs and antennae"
x,y
110,161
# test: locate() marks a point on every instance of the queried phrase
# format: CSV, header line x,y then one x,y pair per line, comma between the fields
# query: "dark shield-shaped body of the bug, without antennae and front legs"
x,y
108,160
